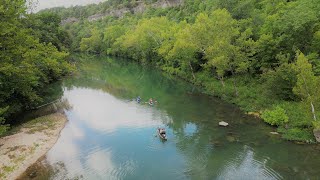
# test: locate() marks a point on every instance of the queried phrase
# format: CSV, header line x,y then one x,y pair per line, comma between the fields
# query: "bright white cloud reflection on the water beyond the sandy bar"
x,y
103,112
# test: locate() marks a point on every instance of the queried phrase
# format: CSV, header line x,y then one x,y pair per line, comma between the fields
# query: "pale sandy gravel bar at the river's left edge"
x,y
34,139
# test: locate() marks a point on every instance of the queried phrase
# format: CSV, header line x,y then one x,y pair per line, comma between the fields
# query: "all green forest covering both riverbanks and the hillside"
x,y
261,55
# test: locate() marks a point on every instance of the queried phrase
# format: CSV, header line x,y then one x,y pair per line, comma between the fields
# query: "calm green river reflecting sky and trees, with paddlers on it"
x,y
111,136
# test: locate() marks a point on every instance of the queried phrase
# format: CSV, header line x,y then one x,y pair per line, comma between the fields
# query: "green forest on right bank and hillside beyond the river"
x,y
261,55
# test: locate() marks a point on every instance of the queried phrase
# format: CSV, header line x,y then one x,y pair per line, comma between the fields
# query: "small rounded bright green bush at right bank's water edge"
x,y
277,116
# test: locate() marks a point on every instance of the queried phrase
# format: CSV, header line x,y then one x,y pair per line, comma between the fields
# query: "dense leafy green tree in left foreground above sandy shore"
x,y
26,64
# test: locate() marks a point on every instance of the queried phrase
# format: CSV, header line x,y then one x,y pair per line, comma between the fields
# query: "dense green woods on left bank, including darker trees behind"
x,y
33,53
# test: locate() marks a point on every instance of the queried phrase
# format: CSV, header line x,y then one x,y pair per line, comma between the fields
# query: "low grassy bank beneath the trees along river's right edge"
x,y
254,98
